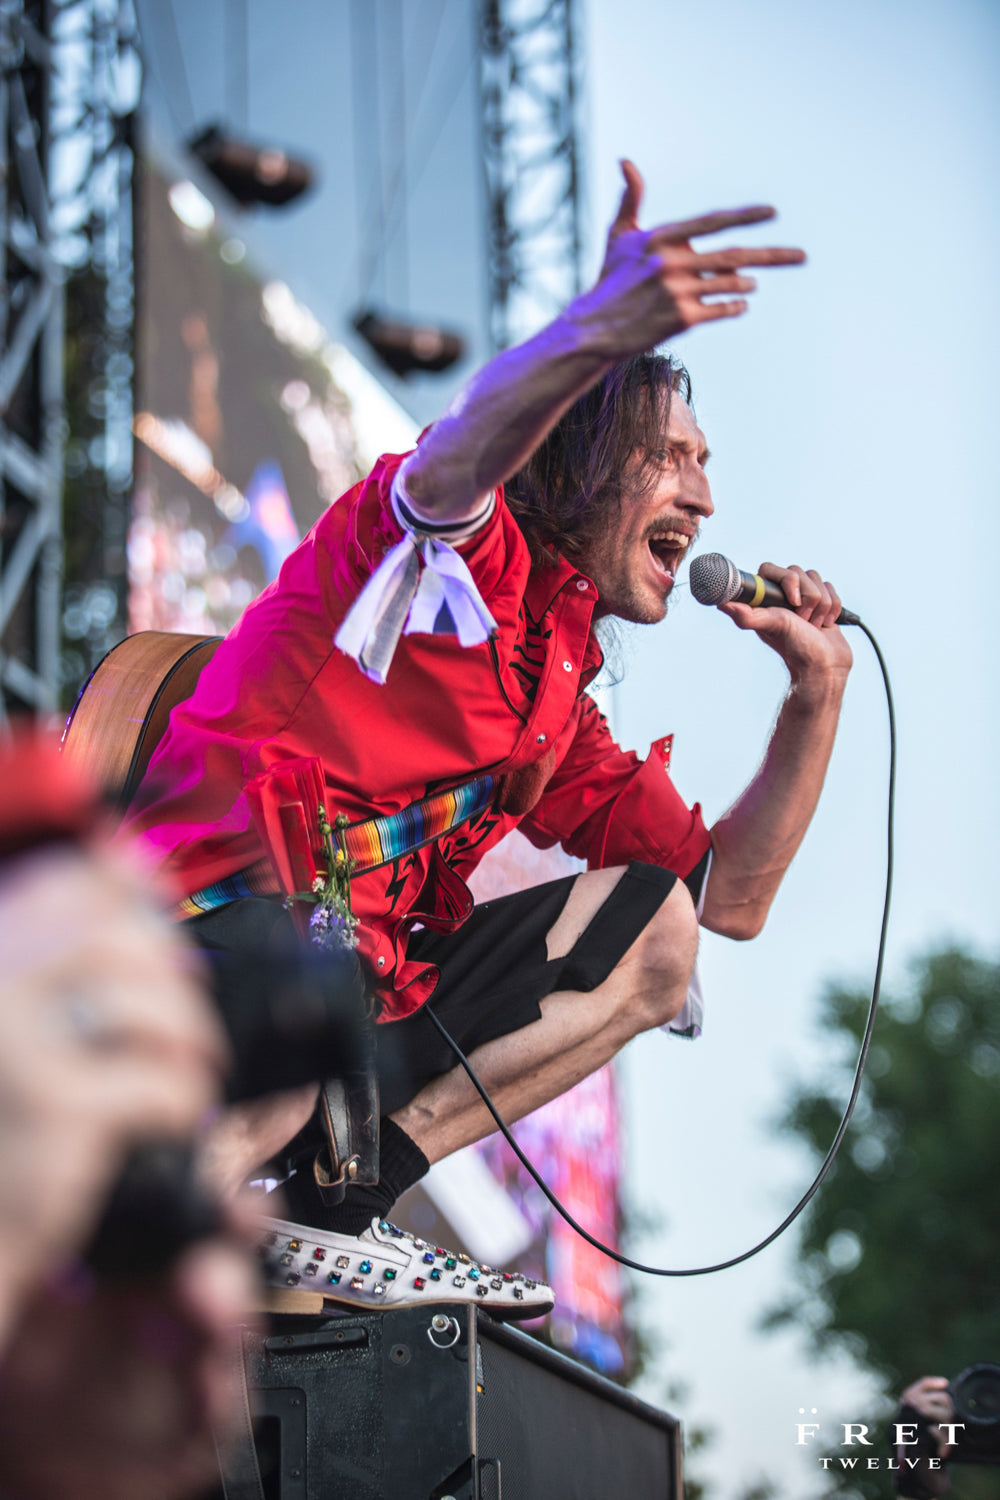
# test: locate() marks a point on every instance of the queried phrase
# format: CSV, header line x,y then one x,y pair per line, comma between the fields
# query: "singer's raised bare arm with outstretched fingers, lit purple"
x,y
653,286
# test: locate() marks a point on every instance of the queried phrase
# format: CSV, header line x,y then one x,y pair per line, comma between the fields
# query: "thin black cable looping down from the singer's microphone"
x,y
863,1058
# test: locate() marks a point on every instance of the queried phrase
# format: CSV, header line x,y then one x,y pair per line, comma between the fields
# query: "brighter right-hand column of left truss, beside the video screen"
x,y
94,110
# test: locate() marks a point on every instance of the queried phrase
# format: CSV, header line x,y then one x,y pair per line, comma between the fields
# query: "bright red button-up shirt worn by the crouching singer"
x,y
280,689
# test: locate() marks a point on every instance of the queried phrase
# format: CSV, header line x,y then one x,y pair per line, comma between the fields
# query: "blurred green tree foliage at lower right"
x,y
899,1252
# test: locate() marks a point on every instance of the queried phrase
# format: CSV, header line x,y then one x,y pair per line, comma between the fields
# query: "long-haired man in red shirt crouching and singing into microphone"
x,y
434,635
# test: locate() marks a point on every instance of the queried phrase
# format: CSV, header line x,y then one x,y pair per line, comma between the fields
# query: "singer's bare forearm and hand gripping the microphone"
x,y
756,841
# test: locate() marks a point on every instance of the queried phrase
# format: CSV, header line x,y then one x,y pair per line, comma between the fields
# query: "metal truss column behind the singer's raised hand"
x,y
530,88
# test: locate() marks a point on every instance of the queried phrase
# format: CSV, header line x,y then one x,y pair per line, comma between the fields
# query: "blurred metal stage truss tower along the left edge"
x,y
68,85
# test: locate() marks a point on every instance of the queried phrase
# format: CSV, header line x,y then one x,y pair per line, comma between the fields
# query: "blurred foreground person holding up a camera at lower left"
x,y
107,1388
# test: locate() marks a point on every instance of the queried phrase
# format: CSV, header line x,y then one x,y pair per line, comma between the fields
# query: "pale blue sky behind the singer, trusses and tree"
x,y
852,419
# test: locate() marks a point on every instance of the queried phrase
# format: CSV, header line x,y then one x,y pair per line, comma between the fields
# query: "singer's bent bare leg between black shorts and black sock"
x,y
578,1033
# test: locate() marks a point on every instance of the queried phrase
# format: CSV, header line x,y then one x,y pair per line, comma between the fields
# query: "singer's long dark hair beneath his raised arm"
x,y
611,442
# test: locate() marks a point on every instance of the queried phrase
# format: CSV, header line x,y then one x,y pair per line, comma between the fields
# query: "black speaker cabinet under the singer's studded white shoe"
x,y
442,1402
